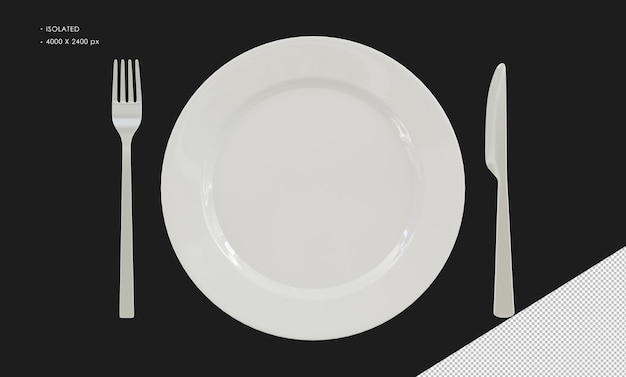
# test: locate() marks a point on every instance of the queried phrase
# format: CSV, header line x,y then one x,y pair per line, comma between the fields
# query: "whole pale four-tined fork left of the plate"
x,y
126,115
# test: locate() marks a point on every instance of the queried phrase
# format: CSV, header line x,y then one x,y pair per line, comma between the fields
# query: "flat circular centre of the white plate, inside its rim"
x,y
313,186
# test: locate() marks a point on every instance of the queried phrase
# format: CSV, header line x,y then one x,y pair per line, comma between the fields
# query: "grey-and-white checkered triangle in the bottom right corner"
x,y
577,330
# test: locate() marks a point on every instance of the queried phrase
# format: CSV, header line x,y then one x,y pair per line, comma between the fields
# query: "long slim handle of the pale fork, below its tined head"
x,y
127,297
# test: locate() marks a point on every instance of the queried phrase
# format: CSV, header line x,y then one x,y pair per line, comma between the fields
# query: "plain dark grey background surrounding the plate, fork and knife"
x,y
566,156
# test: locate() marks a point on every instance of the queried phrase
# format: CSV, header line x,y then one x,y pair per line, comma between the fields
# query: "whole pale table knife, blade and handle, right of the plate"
x,y
496,159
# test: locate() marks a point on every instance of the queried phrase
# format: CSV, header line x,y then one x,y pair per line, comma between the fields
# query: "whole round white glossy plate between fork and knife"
x,y
312,188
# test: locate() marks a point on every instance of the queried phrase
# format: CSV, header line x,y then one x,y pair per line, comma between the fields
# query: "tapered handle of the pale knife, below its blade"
x,y
503,298
